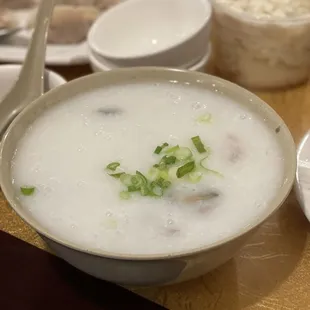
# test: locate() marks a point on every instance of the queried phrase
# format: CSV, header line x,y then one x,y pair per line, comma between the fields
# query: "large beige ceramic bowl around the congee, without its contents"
x,y
146,270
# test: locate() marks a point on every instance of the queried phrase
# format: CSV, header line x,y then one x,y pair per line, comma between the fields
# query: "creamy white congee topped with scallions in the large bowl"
x,y
147,168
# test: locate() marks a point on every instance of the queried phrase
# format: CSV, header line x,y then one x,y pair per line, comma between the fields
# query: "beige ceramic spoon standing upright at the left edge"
x,y
29,85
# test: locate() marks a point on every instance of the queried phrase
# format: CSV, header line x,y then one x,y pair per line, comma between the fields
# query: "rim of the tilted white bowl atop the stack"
x,y
92,43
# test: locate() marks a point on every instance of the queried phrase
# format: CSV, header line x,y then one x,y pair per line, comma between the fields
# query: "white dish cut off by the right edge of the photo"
x,y
302,184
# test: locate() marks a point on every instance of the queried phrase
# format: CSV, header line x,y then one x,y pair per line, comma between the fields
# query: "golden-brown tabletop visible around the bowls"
x,y
271,272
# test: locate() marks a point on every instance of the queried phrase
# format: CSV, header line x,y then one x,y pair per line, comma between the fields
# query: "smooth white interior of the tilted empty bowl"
x,y
147,27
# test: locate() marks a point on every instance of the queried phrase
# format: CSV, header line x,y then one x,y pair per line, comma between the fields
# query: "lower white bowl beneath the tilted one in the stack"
x,y
100,65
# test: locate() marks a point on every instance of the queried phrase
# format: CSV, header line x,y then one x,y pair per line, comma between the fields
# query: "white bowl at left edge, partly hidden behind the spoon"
x,y
9,75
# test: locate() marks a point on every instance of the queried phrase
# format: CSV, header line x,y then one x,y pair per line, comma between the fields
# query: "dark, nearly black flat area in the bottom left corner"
x,y
32,279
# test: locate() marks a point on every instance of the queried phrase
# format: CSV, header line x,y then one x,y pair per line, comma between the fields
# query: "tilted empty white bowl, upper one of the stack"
x,y
152,32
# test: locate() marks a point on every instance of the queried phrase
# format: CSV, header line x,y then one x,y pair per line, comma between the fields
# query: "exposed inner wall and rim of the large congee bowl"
x,y
100,80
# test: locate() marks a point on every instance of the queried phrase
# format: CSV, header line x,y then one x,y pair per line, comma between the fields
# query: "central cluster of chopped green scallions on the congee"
x,y
176,163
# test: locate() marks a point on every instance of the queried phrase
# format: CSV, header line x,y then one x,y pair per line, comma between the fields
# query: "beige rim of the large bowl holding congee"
x,y
166,75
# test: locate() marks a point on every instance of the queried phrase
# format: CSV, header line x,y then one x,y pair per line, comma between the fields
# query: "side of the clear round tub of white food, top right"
x,y
260,52
